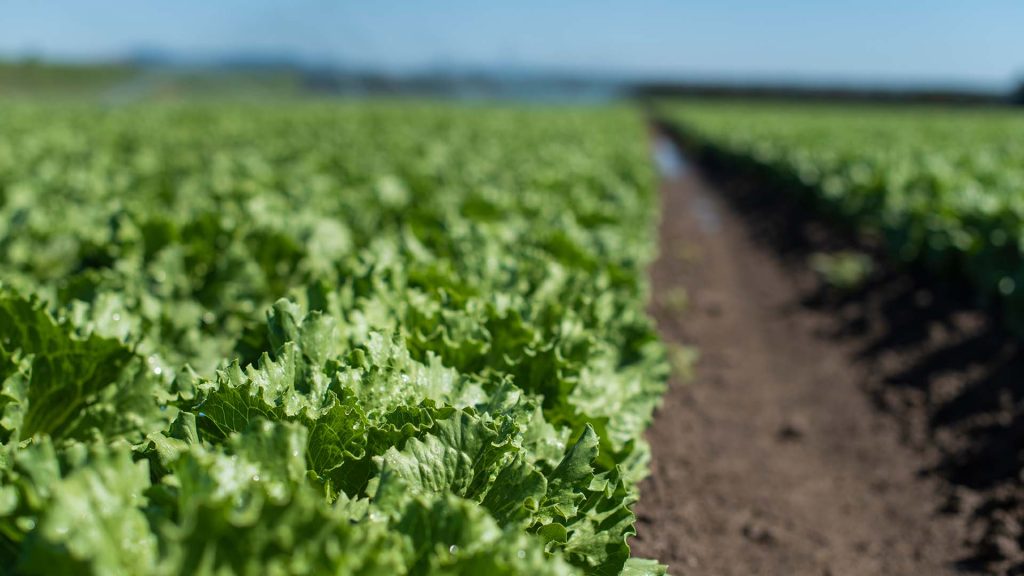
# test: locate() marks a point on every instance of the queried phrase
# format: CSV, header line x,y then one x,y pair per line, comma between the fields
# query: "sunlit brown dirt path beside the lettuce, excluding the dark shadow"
x,y
775,460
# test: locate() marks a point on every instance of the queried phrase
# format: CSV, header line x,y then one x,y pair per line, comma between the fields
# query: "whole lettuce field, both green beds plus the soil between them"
x,y
391,338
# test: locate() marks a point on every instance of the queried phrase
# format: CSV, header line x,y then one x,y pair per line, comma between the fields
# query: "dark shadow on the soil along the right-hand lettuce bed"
x,y
954,378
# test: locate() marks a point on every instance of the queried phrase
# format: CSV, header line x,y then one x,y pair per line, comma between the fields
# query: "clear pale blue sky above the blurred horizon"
x,y
975,43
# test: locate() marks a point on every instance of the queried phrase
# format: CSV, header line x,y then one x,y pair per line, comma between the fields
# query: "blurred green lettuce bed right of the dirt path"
x,y
941,188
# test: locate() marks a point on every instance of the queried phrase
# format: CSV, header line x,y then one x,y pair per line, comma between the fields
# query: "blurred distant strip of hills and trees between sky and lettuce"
x,y
153,74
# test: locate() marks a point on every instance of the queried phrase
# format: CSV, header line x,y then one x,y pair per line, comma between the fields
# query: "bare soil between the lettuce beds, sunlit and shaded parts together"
x,y
825,433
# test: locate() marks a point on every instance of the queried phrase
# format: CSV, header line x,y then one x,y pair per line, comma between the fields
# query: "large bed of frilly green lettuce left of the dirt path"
x,y
324,340
